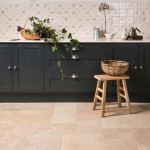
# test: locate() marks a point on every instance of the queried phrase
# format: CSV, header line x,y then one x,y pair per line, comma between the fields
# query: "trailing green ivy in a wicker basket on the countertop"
x,y
41,29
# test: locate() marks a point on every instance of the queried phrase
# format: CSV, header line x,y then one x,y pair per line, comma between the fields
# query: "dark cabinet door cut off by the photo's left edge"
x,y
5,67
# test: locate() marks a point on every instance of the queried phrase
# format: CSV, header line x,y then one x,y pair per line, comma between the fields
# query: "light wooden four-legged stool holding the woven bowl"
x,y
103,79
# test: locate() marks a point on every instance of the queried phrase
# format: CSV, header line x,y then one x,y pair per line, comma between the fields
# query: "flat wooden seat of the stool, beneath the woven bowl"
x,y
108,77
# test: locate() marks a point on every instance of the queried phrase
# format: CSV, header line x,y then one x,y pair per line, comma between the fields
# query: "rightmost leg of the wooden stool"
x,y
126,95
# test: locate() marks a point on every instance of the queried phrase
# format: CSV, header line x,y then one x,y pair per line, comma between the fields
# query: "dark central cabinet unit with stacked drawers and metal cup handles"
x,y
83,69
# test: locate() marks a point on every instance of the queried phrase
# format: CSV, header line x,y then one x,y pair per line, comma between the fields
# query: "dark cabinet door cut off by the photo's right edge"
x,y
144,70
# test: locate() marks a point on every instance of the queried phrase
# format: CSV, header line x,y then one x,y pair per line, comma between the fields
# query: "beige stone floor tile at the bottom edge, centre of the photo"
x,y
83,141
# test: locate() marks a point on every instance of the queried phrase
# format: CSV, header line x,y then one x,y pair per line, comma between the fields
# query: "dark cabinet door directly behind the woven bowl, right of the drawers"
x,y
126,52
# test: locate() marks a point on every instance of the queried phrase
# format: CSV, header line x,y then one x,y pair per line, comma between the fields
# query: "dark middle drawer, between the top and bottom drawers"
x,y
84,68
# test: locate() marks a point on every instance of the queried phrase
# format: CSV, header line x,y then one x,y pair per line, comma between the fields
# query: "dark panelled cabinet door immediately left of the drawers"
x,y
28,67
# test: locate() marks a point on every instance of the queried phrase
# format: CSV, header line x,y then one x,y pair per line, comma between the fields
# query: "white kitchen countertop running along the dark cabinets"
x,y
81,40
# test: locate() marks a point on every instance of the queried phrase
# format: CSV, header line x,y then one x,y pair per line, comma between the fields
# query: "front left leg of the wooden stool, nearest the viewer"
x,y
104,98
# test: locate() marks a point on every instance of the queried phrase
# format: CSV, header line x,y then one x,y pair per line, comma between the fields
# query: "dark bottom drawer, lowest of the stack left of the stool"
x,y
69,85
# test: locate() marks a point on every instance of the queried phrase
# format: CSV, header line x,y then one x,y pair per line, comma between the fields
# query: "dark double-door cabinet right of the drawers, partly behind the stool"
x,y
138,57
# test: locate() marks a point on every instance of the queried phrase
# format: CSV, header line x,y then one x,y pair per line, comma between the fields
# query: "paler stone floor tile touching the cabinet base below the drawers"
x,y
64,113
